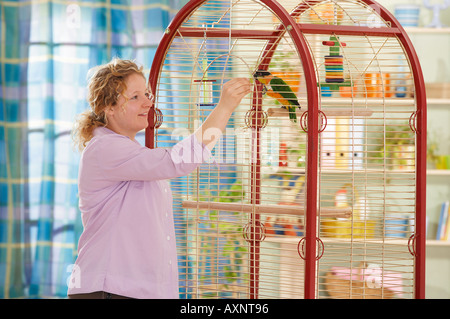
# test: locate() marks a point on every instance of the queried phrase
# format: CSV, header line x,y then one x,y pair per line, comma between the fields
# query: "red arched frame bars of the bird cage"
x,y
296,31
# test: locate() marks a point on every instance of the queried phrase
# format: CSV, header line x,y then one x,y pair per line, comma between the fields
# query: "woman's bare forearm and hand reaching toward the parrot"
x,y
232,93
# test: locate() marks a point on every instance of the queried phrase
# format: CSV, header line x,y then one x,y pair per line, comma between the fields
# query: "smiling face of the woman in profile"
x,y
130,114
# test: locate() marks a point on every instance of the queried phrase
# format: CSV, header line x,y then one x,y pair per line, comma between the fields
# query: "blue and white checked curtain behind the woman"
x,y
47,48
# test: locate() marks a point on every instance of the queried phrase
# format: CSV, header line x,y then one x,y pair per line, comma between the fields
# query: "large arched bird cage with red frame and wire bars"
x,y
321,198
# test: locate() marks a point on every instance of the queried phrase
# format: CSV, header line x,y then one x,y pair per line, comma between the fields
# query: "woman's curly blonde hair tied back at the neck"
x,y
106,84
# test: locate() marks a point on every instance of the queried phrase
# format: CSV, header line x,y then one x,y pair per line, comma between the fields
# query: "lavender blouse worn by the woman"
x,y
128,243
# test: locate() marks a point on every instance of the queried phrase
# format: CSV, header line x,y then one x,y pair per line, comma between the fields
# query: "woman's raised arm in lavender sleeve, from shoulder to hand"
x,y
121,159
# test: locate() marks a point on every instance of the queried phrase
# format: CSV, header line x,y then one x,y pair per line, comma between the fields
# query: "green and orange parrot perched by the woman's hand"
x,y
278,89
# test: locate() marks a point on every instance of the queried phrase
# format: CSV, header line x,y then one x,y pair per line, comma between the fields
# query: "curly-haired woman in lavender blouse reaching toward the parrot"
x,y
127,248
